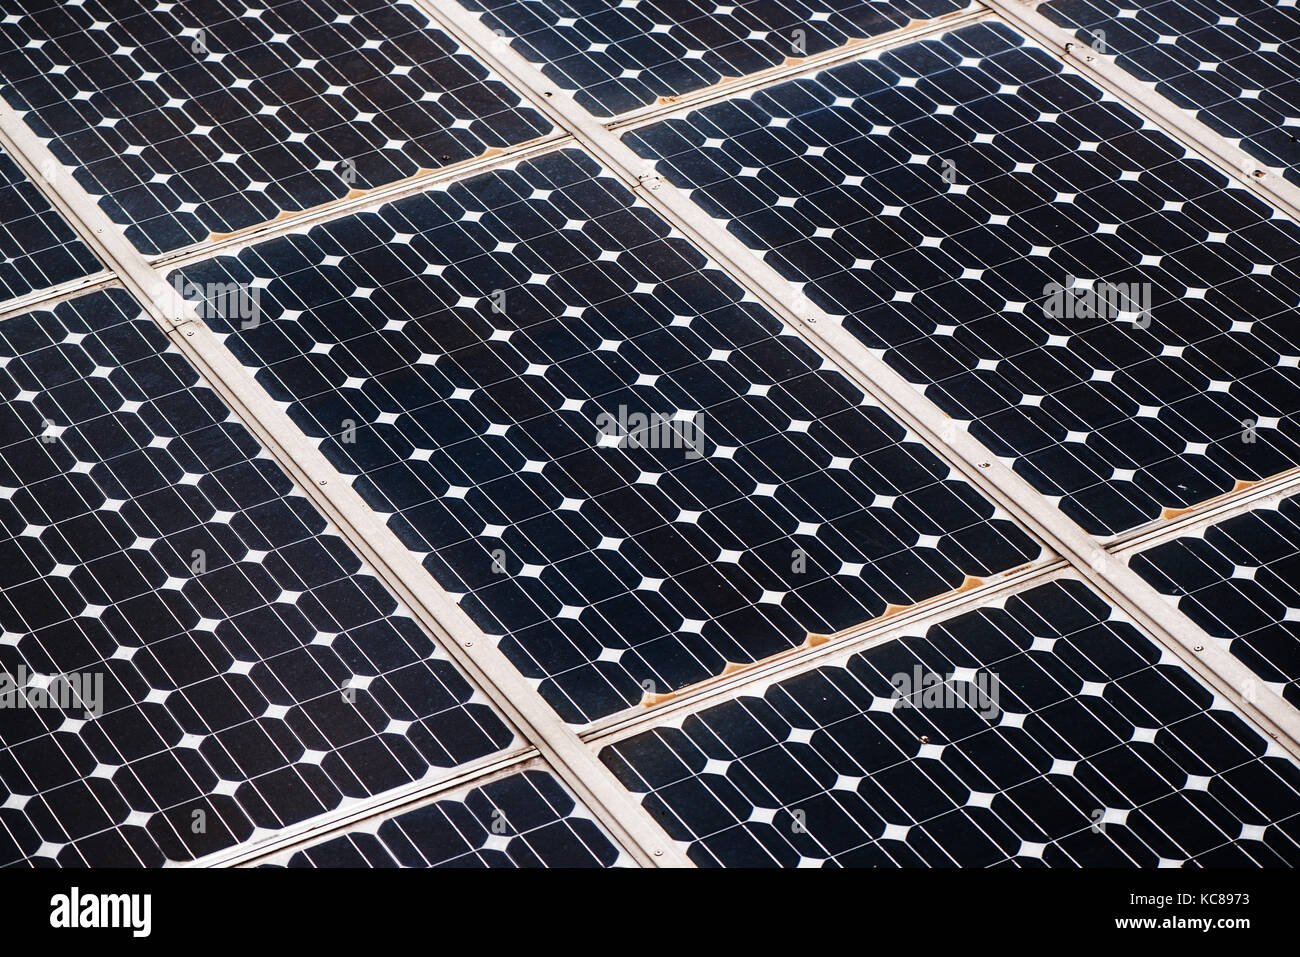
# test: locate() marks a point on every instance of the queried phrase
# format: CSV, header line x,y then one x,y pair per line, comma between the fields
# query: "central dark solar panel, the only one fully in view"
x,y
778,501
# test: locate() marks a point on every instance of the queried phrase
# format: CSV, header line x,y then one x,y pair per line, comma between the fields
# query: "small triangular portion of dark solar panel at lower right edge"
x,y
1241,582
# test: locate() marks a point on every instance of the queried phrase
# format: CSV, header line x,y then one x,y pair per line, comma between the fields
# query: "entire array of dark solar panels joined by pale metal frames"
x,y
795,630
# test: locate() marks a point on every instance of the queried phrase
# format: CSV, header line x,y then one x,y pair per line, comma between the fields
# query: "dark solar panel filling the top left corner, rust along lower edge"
x,y
189,119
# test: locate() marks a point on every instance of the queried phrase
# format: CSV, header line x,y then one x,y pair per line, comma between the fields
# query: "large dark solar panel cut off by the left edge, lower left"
x,y
253,673
